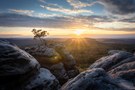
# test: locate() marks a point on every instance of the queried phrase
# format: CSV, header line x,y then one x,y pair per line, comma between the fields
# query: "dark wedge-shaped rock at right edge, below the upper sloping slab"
x,y
125,71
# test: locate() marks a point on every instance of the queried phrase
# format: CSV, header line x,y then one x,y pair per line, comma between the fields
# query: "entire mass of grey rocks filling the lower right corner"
x,y
113,72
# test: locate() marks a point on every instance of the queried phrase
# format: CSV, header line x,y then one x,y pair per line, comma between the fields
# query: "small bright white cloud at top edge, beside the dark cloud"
x,y
79,4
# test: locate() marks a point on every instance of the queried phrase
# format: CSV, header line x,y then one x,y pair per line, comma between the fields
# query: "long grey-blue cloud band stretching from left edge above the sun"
x,y
19,20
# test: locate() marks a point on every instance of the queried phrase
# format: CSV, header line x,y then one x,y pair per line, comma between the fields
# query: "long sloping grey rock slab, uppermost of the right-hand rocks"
x,y
108,62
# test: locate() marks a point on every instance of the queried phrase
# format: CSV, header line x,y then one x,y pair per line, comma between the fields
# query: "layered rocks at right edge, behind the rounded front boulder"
x,y
120,65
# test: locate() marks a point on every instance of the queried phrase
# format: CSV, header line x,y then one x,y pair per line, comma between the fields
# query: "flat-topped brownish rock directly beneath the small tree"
x,y
44,55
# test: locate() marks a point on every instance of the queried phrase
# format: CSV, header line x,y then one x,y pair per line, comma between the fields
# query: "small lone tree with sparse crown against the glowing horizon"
x,y
40,34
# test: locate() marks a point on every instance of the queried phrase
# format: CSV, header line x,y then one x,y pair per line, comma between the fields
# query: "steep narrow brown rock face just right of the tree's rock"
x,y
68,61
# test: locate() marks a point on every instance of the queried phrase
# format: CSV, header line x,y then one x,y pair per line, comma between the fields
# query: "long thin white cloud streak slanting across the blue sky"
x,y
57,8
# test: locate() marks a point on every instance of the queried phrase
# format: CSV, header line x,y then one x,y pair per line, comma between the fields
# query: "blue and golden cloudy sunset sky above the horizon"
x,y
96,18
